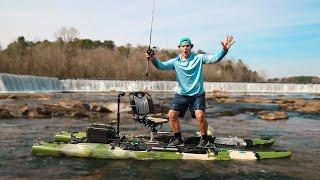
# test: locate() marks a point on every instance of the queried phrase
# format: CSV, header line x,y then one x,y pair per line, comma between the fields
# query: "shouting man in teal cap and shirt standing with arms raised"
x,y
191,94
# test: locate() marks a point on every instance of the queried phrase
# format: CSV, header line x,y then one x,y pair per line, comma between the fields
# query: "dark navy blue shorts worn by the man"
x,y
182,103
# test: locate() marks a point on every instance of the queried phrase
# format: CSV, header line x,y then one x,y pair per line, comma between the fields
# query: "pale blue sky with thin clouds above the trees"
x,y
276,38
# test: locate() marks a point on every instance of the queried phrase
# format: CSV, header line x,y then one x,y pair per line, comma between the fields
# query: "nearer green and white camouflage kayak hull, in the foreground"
x,y
109,151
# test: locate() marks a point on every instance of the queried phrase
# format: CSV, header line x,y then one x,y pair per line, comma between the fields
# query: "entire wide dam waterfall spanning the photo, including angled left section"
x,y
22,83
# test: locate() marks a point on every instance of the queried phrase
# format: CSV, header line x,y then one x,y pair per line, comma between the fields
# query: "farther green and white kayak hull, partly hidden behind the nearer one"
x,y
228,141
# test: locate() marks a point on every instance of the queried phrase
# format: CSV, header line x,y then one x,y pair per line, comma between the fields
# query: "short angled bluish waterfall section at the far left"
x,y
26,83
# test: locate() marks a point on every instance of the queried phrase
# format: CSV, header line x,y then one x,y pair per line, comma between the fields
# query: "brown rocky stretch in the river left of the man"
x,y
64,107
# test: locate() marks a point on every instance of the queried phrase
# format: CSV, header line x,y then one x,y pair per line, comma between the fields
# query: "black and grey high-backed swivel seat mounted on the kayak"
x,y
143,111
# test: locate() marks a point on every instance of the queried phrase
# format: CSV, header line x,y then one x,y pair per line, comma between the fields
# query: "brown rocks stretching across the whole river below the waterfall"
x,y
74,108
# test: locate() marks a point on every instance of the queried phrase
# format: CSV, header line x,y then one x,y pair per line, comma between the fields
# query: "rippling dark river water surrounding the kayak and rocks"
x,y
299,134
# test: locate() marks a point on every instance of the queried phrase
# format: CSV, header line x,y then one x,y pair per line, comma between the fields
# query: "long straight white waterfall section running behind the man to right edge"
x,y
78,85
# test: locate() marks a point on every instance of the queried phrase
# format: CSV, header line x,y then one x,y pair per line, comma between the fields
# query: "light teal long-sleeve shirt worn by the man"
x,y
189,73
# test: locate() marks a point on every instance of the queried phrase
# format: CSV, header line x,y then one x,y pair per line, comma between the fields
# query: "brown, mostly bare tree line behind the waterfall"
x,y
71,57
